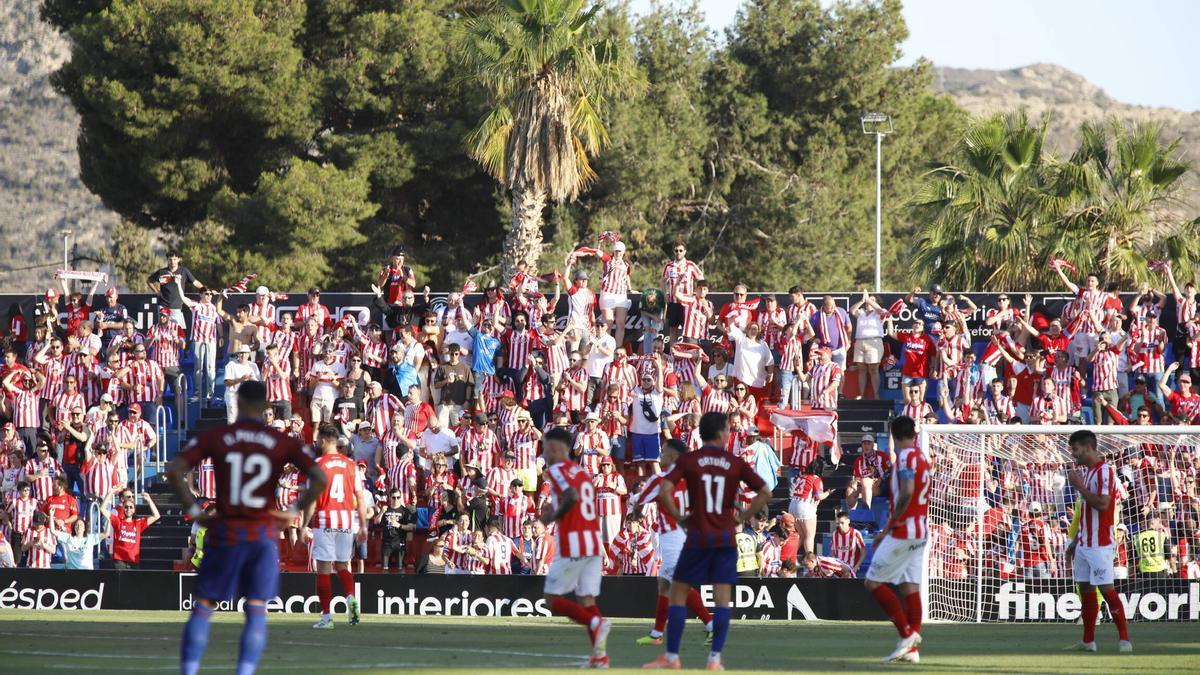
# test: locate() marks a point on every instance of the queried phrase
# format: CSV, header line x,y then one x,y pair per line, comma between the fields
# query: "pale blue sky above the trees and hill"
x,y
1142,52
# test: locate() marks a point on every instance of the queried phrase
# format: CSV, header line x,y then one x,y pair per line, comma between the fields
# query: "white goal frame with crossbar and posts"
x,y
1064,431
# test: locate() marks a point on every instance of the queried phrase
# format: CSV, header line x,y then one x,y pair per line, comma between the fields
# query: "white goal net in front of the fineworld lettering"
x,y
1000,507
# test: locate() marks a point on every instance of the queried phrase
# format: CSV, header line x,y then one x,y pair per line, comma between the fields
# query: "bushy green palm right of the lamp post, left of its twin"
x,y
986,208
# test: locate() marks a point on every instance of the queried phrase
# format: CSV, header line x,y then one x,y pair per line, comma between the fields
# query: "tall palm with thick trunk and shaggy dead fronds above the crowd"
x,y
551,76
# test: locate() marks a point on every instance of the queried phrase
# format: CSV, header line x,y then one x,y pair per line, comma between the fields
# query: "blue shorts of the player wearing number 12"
x,y
250,571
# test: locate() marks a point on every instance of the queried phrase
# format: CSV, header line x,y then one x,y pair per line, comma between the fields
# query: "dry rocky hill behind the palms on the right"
x,y
1071,100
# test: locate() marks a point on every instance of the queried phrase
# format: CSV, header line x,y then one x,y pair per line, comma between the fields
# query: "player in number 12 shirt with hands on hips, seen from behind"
x,y
241,551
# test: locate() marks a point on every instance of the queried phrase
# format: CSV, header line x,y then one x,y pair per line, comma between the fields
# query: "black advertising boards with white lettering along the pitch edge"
x,y
1016,600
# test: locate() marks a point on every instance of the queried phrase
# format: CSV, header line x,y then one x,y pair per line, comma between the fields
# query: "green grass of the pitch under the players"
x,y
142,642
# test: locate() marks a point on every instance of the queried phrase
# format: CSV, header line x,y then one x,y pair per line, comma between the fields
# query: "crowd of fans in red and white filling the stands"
x,y
443,407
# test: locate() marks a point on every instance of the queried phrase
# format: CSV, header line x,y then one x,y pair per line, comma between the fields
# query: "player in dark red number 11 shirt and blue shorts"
x,y
712,476
